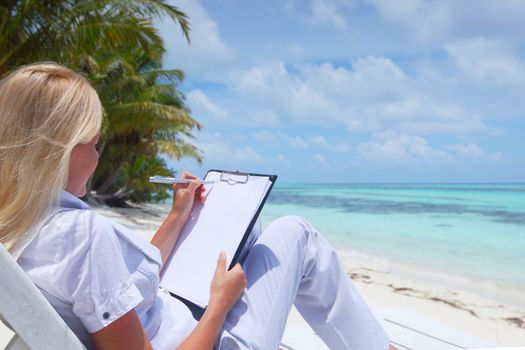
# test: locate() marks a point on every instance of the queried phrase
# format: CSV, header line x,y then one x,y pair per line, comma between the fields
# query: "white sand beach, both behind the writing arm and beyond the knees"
x,y
489,313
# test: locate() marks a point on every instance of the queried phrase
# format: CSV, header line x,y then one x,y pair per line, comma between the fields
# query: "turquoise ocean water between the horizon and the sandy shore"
x,y
473,231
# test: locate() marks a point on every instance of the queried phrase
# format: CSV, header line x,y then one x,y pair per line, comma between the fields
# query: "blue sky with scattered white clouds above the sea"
x,y
355,91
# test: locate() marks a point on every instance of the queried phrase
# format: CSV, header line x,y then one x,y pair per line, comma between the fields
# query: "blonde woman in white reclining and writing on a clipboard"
x,y
104,281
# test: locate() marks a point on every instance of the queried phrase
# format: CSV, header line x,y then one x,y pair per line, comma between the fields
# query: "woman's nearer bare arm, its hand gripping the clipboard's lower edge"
x,y
127,332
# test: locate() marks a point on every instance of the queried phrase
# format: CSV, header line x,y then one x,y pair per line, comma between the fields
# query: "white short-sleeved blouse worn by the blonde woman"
x,y
93,270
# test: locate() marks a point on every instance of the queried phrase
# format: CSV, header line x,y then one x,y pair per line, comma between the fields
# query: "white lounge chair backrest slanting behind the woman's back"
x,y
25,310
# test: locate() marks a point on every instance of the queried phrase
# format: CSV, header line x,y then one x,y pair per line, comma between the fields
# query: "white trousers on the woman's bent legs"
x,y
291,263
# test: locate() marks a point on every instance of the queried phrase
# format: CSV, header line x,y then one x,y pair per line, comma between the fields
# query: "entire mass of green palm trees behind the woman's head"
x,y
115,44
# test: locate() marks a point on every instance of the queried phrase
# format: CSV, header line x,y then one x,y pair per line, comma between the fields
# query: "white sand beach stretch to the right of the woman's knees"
x,y
499,324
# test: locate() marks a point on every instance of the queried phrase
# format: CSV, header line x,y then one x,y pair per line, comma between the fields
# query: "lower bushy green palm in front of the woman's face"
x,y
145,115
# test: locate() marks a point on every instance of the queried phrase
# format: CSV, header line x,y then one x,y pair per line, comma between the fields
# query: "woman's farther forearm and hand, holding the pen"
x,y
184,196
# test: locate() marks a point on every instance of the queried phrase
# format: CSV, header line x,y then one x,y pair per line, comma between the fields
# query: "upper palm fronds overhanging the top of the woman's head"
x,y
66,30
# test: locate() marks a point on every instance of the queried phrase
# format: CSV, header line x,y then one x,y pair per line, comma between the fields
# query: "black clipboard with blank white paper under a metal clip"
x,y
222,223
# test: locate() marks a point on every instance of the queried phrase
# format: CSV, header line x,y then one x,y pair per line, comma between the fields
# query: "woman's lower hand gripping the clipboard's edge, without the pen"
x,y
226,286
